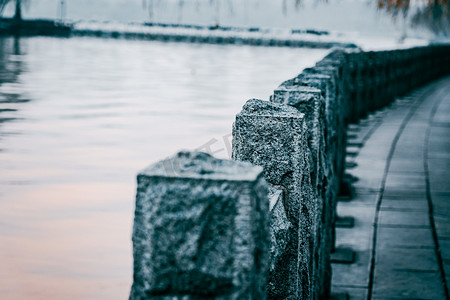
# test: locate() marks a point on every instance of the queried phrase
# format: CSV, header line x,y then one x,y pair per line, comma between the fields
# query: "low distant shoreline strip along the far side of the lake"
x,y
295,38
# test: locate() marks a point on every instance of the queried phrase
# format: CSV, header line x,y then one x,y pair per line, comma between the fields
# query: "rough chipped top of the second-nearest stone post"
x,y
266,108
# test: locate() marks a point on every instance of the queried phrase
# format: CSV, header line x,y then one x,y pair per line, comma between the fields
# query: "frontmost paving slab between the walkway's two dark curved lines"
x,y
409,285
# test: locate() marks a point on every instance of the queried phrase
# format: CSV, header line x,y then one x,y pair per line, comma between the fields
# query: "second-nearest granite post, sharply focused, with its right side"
x,y
274,137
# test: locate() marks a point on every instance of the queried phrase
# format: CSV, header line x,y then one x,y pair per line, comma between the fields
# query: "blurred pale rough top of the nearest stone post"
x,y
196,165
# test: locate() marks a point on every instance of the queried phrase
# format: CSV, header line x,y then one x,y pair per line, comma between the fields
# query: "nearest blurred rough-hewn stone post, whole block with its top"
x,y
201,230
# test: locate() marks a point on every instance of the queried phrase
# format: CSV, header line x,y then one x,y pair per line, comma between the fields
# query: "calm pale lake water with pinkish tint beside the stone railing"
x,y
79,118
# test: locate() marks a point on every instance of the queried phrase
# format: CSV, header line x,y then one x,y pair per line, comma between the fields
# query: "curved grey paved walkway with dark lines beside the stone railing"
x,y
399,162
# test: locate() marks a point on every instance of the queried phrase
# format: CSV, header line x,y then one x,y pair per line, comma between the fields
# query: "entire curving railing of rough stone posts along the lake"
x,y
215,229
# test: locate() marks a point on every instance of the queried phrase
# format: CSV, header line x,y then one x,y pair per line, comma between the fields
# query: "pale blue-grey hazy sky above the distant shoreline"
x,y
336,15
